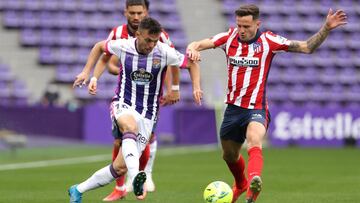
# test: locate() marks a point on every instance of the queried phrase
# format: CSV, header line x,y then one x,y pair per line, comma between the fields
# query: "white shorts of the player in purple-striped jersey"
x,y
144,125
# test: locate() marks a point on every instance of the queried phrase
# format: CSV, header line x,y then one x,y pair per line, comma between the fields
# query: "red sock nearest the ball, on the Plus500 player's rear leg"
x,y
237,169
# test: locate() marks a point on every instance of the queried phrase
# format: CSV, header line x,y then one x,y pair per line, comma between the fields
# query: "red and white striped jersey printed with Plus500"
x,y
248,66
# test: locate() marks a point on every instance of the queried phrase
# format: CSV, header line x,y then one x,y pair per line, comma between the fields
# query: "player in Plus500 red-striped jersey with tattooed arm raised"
x,y
249,53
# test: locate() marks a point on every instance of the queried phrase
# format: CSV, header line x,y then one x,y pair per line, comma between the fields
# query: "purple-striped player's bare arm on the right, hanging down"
x,y
194,70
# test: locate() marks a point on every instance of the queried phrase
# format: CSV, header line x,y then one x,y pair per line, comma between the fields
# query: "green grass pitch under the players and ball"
x,y
290,175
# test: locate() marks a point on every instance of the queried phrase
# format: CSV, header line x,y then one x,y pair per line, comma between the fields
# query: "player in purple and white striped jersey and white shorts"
x,y
134,107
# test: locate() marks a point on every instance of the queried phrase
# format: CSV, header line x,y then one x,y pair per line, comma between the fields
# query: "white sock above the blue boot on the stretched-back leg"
x,y
98,179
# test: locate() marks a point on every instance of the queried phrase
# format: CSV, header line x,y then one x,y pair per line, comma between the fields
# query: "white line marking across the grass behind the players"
x,y
102,157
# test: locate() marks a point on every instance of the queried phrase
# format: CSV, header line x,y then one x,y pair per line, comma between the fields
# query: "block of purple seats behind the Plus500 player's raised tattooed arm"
x,y
330,77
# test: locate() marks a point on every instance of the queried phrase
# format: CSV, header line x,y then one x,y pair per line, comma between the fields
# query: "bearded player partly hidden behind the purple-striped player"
x,y
135,11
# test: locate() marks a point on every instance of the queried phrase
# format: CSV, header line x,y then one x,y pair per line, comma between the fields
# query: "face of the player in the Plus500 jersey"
x,y
247,27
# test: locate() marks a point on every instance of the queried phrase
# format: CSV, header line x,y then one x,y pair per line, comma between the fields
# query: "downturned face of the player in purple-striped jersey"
x,y
146,42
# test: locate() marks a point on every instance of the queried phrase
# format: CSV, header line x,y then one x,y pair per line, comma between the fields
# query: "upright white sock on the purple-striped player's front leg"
x,y
131,156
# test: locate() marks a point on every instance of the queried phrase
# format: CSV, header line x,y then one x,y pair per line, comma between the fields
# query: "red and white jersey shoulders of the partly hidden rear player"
x,y
121,32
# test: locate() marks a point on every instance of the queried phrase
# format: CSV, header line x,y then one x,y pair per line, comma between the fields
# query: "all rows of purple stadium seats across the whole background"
x,y
65,30
